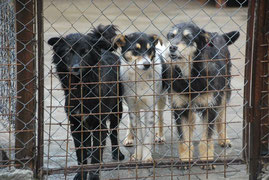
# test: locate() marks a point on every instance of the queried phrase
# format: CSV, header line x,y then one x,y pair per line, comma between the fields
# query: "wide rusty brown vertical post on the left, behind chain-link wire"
x,y
26,77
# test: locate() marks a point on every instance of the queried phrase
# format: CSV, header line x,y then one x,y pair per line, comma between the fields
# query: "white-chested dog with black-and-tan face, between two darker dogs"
x,y
141,73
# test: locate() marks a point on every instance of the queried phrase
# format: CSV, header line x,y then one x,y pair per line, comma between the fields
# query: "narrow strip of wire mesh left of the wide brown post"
x,y
7,83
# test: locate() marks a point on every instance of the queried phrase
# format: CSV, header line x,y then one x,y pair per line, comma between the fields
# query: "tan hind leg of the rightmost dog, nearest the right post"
x,y
221,129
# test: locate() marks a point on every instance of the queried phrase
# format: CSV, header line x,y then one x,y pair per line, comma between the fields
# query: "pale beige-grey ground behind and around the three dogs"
x,y
64,17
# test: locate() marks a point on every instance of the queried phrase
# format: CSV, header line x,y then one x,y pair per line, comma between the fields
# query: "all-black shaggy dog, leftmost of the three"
x,y
79,59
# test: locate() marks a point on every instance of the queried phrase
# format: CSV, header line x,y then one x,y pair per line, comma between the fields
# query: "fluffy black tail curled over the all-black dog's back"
x,y
101,37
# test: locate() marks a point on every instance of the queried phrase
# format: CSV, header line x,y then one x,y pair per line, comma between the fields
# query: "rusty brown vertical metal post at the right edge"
x,y
256,86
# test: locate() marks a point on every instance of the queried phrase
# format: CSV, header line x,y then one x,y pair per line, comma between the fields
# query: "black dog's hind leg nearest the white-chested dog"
x,y
115,118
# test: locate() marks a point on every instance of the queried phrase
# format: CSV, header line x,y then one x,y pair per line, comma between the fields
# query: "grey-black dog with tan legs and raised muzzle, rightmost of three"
x,y
201,69
